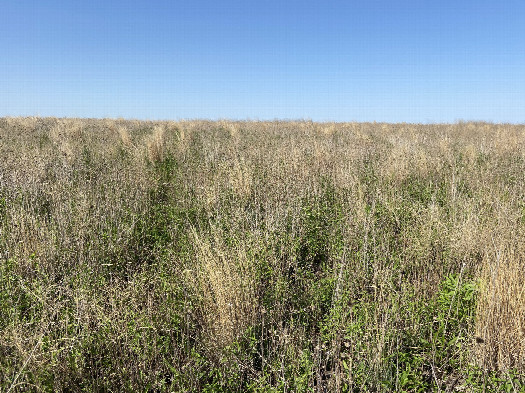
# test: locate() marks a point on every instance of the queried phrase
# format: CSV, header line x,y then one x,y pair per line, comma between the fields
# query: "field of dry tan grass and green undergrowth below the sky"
x,y
261,256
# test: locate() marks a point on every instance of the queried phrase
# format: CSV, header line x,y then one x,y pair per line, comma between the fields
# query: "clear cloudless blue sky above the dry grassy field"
x,y
395,61
